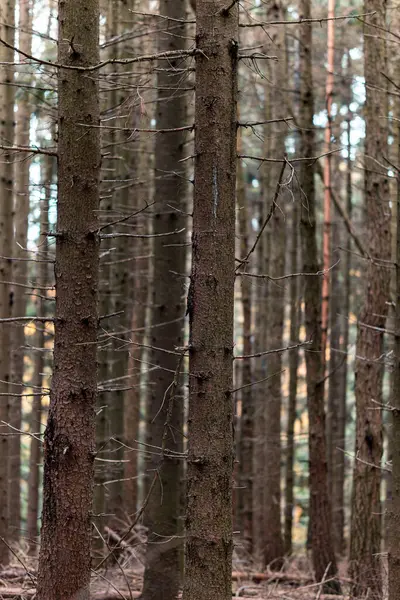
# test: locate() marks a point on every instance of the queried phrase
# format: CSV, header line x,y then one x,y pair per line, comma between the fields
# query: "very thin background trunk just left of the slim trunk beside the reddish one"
x,y
293,367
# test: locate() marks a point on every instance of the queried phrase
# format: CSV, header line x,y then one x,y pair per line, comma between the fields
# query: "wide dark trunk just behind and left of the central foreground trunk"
x,y
165,416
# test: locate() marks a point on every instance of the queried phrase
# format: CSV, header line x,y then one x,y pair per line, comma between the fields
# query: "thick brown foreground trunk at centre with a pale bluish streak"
x,y
210,307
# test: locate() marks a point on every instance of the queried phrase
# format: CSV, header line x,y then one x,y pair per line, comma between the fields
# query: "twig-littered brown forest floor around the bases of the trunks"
x,y
123,581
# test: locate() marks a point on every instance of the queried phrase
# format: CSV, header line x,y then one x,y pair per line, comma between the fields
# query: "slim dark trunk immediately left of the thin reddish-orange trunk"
x,y
323,555
